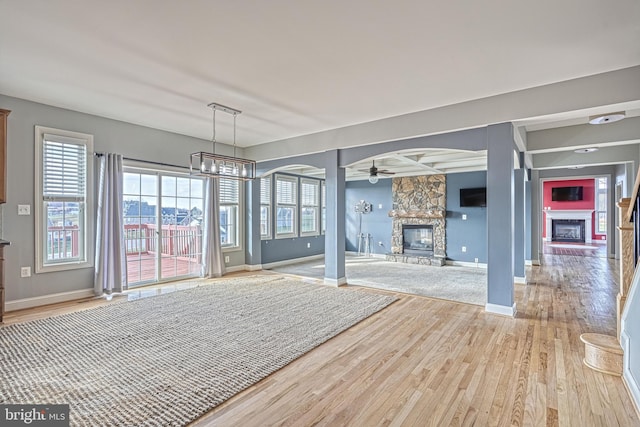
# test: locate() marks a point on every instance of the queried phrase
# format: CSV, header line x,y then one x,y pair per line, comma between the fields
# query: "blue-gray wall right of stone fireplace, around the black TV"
x,y
471,232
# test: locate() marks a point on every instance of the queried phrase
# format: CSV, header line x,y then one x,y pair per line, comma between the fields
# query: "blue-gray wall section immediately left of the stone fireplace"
x,y
378,223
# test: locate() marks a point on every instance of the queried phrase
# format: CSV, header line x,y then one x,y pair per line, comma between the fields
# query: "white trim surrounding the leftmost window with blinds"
x,y
40,229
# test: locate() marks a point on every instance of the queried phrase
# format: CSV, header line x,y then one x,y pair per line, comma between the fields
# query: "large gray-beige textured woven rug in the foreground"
x,y
167,360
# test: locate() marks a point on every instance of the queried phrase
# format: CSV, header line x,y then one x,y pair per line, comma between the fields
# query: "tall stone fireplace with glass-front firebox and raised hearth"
x,y
419,203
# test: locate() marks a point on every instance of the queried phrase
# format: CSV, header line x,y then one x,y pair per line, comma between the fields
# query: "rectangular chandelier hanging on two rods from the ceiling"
x,y
216,165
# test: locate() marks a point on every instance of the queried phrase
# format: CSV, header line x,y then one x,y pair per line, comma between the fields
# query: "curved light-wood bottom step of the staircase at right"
x,y
602,353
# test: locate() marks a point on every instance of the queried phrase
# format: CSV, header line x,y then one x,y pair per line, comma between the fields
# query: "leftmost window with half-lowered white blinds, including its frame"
x,y
63,190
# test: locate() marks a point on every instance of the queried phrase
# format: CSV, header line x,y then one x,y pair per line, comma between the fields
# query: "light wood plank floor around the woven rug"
x,y
426,362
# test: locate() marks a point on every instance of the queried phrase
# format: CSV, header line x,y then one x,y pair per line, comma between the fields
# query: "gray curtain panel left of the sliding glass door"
x,y
111,256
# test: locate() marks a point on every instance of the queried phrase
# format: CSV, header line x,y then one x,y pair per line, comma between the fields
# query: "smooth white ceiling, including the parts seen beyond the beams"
x,y
300,67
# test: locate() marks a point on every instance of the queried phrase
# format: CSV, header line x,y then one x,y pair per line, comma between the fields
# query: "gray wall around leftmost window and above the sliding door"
x,y
109,136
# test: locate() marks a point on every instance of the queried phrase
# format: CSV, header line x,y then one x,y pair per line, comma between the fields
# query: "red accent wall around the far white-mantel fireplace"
x,y
587,202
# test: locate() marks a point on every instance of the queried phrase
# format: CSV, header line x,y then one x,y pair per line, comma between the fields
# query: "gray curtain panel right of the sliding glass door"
x,y
212,260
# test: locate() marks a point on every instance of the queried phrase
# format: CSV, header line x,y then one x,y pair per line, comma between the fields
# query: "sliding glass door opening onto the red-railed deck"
x,y
162,225
